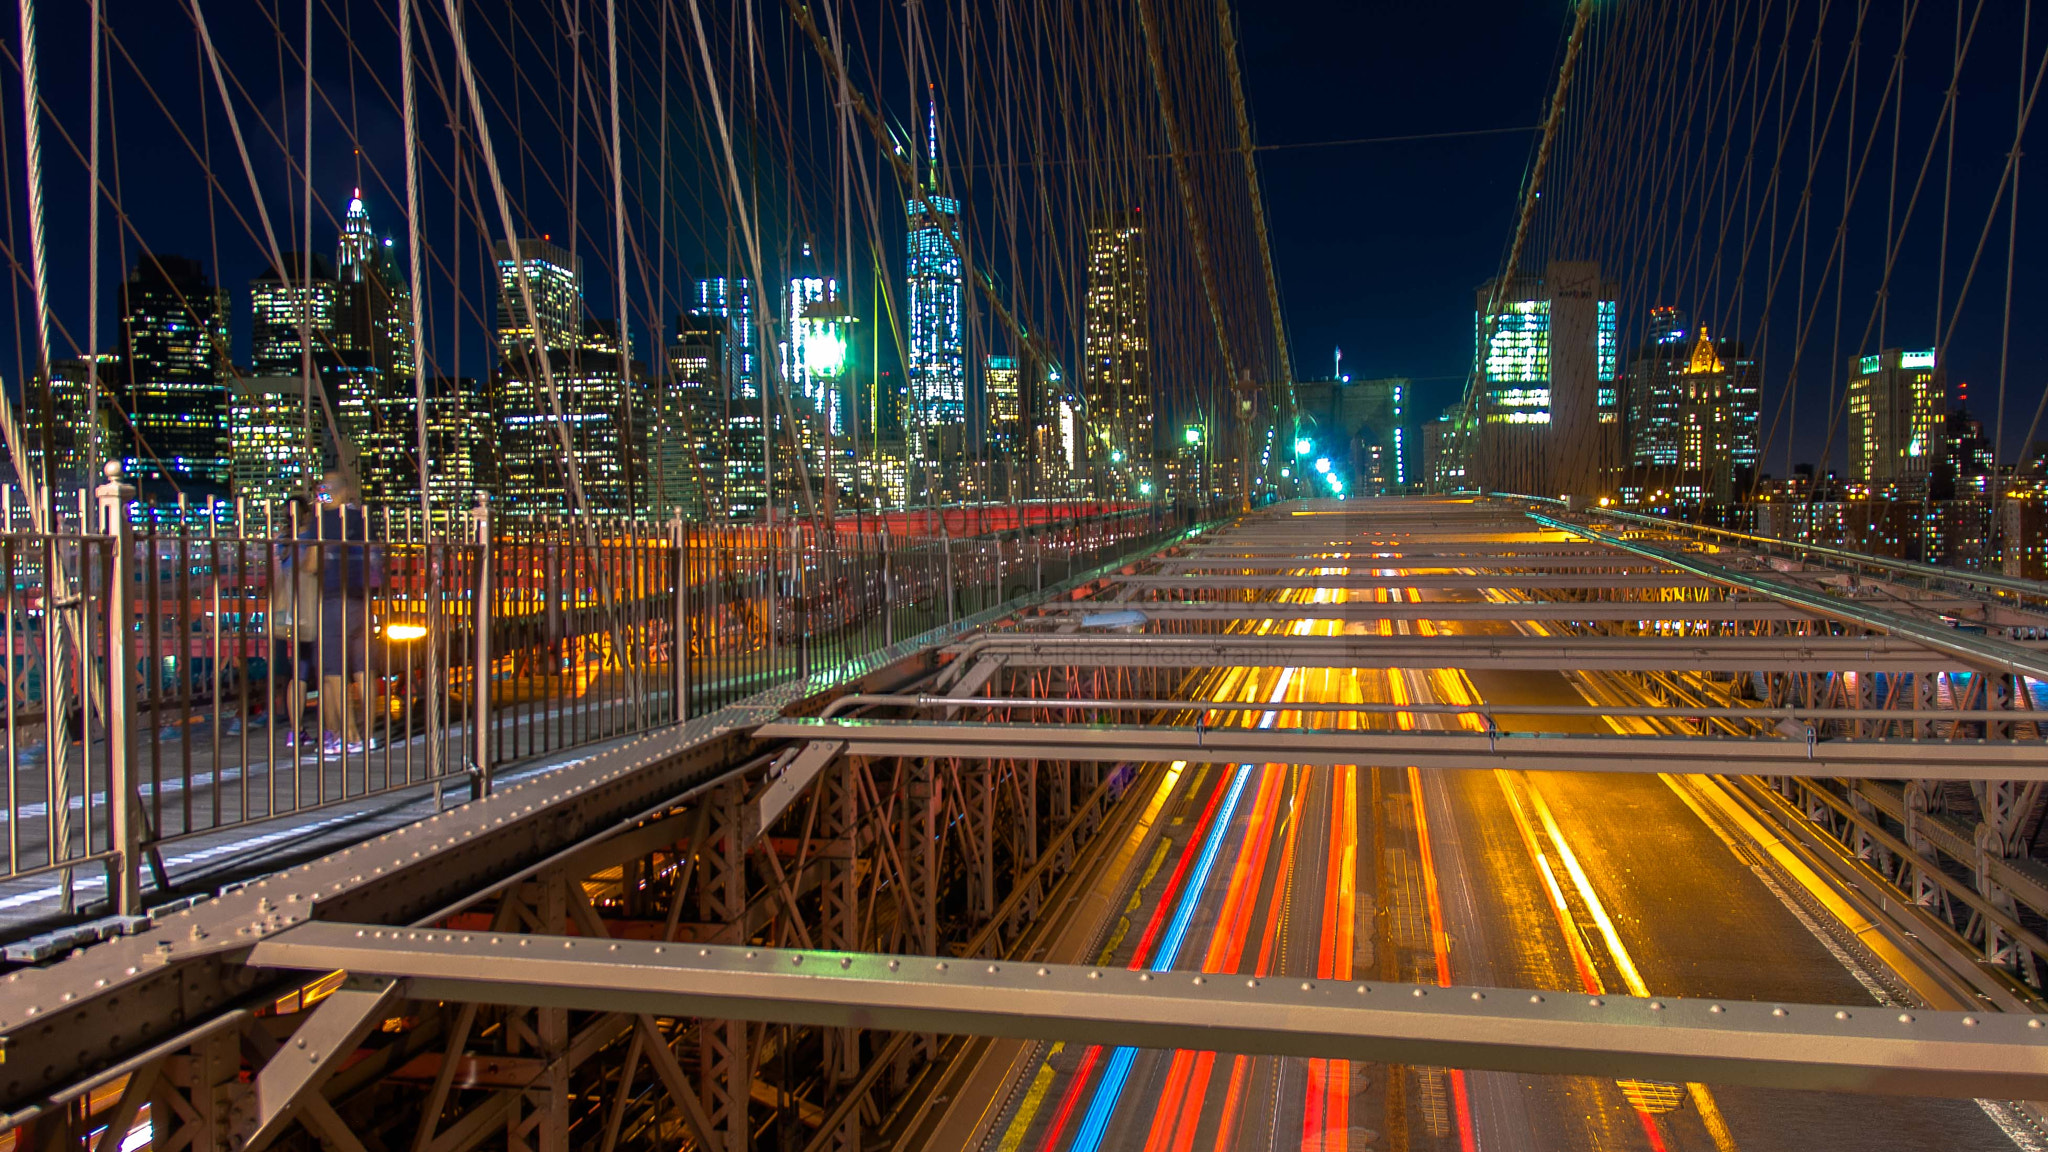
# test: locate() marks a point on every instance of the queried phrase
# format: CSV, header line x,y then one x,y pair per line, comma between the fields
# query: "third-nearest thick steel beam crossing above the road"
x,y
1510,653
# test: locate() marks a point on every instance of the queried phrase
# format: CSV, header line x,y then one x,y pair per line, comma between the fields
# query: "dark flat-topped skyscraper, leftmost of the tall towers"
x,y
175,372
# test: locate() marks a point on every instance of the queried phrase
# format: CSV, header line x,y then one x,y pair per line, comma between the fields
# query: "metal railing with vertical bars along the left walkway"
x,y
173,675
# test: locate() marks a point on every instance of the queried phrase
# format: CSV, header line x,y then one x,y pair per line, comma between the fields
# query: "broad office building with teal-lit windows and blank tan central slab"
x,y
1547,356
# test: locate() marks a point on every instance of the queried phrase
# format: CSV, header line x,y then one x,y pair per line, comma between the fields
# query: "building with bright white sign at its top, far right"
x,y
1897,405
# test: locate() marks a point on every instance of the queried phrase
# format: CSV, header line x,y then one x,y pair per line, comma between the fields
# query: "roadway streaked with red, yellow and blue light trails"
x,y
1549,880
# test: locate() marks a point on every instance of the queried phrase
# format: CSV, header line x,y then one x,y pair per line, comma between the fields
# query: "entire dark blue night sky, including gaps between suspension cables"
x,y
1379,247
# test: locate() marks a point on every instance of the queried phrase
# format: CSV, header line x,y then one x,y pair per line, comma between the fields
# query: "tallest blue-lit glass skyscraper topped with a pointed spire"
x,y
937,366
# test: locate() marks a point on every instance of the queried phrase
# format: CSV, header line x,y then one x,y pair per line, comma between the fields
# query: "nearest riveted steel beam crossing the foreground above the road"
x,y
1732,1042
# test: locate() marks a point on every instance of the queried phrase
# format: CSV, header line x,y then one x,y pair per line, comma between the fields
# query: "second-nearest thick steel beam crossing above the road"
x,y
1428,749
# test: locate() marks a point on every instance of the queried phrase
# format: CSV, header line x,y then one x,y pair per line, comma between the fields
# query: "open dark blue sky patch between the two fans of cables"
x,y
1379,247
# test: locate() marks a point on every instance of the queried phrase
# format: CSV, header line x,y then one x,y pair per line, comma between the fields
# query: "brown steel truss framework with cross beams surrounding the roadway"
x,y
824,907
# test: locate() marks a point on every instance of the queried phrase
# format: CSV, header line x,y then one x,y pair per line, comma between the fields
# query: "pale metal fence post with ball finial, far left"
x,y
124,807
